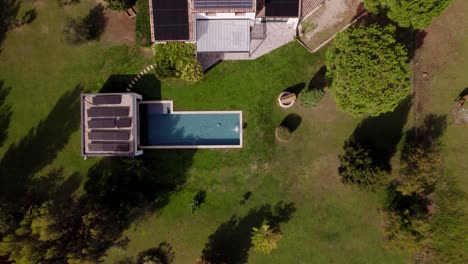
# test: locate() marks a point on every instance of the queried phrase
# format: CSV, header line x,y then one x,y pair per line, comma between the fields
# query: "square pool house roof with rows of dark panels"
x,y
109,124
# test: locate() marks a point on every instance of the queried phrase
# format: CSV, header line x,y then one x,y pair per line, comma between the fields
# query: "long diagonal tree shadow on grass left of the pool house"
x,y
38,148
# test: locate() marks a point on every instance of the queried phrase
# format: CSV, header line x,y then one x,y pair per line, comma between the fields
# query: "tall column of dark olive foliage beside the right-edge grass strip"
x,y
408,209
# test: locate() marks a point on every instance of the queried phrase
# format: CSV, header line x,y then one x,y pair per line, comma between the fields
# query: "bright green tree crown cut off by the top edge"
x,y
409,13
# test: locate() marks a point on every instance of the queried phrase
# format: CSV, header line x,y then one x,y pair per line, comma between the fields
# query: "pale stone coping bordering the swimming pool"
x,y
170,104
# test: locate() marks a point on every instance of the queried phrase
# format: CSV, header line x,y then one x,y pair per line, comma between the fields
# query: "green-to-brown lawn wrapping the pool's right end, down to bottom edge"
x,y
328,222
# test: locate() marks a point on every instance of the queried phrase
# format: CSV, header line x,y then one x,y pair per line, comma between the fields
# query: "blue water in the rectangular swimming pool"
x,y
197,129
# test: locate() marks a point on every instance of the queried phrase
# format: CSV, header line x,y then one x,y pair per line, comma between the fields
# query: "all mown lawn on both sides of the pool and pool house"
x,y
322,221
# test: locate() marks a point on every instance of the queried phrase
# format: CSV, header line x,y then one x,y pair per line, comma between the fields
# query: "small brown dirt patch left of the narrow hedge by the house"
x,y
120,28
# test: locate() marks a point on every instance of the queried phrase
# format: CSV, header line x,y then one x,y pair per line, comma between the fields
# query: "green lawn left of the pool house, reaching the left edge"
x,y
38,68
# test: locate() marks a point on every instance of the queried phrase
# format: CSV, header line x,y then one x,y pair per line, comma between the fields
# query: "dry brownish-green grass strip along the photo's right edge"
x,y
447,66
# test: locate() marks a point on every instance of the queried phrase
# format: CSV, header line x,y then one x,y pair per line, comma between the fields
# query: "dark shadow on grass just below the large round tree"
x,y
380,135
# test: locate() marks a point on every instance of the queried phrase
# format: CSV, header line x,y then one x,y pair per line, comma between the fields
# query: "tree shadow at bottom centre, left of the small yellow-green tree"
x,y
232,240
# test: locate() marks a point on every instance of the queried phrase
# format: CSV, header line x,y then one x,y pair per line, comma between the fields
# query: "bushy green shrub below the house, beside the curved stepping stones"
x,y
176,60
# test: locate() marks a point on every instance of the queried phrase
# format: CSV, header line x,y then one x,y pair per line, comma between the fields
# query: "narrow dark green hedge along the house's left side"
x,y
142,23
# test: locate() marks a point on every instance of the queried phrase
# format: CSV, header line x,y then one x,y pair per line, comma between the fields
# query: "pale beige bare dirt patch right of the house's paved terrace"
x,y
328,20
